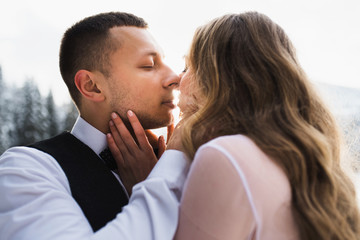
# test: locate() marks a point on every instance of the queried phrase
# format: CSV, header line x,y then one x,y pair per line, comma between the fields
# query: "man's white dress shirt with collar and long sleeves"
x,y
36,201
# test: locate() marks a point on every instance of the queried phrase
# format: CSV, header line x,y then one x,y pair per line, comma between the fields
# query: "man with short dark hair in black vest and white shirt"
x,y
60,188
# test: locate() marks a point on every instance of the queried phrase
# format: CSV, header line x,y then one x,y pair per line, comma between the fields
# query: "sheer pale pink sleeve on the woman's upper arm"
x,y
214,204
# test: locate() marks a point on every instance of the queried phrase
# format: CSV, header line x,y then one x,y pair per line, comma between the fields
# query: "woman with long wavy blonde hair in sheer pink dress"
x,y
265,150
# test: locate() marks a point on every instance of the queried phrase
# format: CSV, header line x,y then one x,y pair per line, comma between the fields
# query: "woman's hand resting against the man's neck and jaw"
x,y
135,159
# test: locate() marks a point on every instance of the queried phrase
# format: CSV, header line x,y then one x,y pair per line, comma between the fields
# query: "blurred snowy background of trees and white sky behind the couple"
x,y
35,104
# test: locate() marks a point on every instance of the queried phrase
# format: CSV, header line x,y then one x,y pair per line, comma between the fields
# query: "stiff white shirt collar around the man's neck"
x,y
89,135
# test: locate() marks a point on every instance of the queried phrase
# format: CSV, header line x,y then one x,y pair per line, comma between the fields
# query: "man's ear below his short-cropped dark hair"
x,y
86,84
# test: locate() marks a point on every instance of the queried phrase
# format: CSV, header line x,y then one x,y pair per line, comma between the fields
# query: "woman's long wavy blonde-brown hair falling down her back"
x,y
252,84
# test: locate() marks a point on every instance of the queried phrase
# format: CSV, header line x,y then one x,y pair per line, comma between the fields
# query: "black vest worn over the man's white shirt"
x,y
92,184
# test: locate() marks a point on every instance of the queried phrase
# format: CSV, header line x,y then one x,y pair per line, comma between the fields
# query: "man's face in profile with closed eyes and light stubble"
x,y
139,79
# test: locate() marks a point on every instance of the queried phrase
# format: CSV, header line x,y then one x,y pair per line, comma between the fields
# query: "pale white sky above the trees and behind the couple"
x,y
326,33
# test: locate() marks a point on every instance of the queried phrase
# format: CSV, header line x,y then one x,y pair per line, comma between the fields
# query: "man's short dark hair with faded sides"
x,y
87,45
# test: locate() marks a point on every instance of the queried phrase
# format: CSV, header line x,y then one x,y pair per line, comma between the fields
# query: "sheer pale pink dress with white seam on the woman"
x,y
235,191
